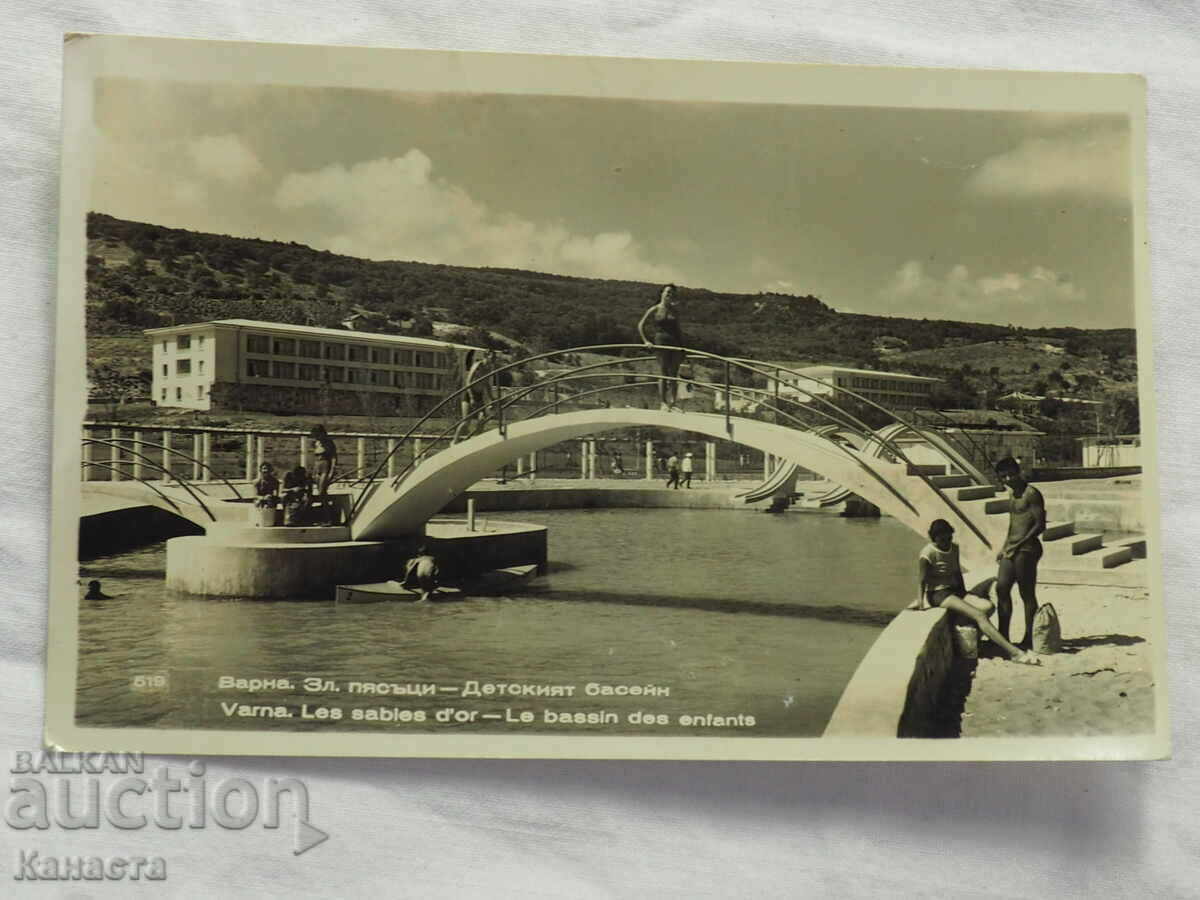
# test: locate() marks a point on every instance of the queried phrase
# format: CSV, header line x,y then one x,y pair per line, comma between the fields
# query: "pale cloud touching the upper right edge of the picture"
x,y
1085,166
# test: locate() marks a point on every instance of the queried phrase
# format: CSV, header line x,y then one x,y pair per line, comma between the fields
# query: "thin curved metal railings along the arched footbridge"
x,y
819,404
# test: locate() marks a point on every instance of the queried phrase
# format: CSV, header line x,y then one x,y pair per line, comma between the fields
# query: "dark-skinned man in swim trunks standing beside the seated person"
x,y
1023,549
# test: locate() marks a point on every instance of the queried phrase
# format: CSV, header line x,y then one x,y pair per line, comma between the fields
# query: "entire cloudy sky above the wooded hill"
x,y
1006,218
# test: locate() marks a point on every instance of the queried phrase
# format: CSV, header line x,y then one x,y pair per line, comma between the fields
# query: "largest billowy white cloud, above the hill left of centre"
x,y
399,209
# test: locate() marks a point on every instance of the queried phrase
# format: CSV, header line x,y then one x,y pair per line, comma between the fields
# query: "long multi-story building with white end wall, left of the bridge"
x,y
241,364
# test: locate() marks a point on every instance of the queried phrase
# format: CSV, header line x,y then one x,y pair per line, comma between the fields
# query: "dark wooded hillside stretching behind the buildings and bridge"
x,y
143,275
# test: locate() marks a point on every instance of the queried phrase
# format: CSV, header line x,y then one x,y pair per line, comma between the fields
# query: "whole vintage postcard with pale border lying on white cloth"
x,y
465,405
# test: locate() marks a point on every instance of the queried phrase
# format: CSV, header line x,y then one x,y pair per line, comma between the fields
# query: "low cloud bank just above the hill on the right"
x,y
1039,297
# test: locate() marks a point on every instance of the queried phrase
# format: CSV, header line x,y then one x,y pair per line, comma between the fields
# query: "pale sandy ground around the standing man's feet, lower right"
x,y
1101,683
